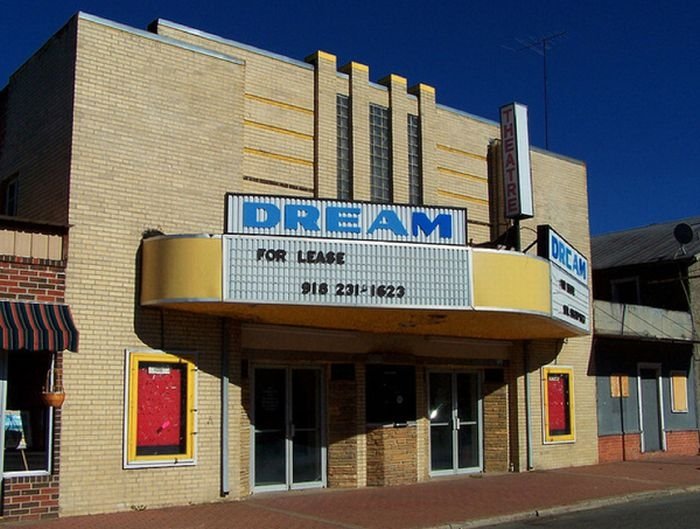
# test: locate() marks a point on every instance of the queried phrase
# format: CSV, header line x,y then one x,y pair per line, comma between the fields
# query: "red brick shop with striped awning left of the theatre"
x,y
36,330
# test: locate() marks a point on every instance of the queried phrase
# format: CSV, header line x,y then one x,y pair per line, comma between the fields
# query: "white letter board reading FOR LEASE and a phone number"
x,y
296,271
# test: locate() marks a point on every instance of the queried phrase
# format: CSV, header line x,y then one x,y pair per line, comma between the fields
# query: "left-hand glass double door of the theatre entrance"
x,y
288,451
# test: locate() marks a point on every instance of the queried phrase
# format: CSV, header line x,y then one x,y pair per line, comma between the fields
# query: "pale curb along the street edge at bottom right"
x,y
570,508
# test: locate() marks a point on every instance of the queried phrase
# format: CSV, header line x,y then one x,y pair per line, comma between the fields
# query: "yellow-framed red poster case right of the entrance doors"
x,y
558,390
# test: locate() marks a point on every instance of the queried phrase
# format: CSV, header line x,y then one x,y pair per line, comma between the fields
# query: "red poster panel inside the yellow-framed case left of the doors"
x,y
160,417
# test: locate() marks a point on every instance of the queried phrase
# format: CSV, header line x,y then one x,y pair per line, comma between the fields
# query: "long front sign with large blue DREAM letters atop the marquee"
x,y
332,219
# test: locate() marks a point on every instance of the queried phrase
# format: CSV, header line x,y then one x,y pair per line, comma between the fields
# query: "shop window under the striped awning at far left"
x,y
27,421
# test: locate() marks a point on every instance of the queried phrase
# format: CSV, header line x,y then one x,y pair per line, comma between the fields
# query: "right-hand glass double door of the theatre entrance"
x,y
455,423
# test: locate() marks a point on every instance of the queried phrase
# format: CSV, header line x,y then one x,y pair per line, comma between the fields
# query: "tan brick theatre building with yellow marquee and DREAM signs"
x,y
286,276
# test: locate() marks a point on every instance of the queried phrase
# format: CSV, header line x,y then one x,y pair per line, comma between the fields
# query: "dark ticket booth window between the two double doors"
x,y
391,394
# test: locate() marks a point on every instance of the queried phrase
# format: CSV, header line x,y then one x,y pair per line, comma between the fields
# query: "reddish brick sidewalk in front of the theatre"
x,y
441,503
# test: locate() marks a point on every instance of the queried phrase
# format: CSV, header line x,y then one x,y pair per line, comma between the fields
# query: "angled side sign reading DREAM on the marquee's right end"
x,y
569,271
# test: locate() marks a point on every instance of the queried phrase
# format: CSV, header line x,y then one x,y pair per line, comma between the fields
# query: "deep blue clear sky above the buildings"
x,y
622,80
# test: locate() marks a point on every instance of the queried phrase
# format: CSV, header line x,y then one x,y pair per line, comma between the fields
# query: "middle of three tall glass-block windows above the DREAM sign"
x,y
380,154
